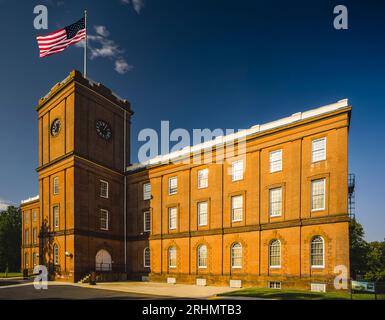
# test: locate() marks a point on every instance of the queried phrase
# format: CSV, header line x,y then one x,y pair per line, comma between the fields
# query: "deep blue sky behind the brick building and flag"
x,y
204,63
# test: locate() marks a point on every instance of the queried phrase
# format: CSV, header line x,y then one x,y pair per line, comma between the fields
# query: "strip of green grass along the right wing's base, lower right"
x,y
292,294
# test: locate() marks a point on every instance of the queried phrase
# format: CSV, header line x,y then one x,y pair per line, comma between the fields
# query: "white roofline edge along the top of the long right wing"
x,y
245,133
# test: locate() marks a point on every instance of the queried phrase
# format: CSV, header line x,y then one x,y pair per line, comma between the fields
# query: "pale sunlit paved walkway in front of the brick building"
x,y
161,289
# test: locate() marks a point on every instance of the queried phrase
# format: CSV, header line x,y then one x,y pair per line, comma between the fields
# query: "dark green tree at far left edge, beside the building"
x,y
10,239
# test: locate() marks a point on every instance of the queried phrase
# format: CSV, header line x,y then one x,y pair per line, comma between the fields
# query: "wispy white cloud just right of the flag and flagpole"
x,y
101,46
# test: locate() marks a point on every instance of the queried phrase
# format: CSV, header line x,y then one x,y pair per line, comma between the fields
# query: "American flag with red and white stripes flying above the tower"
x,y
59,40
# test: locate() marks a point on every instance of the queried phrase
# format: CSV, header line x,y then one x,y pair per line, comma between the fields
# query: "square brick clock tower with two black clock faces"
x,y
84,134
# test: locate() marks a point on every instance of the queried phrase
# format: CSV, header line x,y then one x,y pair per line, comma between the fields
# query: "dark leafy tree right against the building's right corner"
x,y
358,249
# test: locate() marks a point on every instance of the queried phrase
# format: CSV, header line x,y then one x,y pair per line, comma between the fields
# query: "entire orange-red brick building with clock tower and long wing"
x,y
273,215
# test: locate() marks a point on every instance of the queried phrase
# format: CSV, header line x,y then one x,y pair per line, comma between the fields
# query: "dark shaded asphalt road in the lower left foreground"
x,y
60,292
